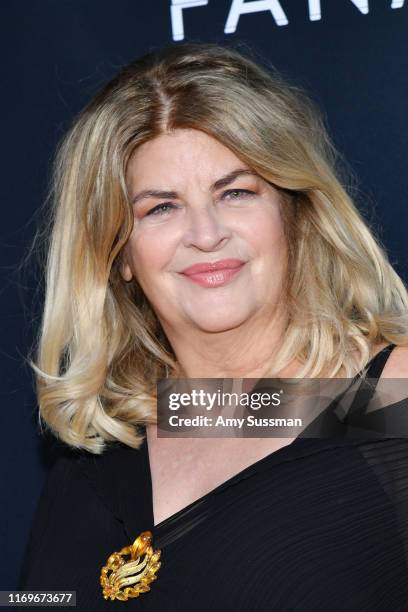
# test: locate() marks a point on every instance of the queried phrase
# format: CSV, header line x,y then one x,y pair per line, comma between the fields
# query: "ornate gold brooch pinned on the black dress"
x,y
118,573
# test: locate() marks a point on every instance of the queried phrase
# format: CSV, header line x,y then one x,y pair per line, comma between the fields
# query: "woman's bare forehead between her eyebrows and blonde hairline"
x,y
184,154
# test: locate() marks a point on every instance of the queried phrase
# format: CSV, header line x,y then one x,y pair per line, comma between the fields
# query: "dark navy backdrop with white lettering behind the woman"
x,y
351,55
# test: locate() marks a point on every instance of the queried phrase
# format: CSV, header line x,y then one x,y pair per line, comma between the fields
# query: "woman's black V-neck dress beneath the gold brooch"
x,y
318,525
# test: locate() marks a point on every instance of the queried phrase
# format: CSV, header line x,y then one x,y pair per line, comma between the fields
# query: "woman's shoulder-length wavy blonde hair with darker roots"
x,y
100,347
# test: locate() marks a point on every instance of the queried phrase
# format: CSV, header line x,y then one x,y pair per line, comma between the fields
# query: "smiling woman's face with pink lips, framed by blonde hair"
x,y
197,204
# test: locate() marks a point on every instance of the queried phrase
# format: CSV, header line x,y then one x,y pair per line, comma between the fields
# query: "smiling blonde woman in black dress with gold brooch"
x,y
200,229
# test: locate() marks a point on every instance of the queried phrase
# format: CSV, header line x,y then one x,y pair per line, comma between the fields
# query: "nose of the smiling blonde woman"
x,y
204,228
